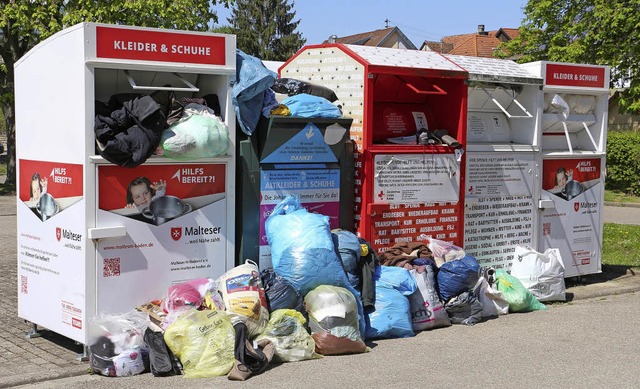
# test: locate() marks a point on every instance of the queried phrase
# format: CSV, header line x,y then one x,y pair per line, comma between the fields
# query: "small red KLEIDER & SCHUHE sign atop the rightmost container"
x,y
575,75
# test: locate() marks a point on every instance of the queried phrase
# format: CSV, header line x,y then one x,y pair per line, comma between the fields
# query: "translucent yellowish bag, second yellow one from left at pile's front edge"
x,y
286,330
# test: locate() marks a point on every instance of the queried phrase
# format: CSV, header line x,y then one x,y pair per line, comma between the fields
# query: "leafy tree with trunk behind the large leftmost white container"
x,y
25,23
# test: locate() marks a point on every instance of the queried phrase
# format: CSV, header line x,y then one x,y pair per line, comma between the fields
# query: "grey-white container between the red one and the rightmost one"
x,y
503,147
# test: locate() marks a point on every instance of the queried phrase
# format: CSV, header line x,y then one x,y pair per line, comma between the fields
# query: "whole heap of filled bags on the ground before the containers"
x,y
327,293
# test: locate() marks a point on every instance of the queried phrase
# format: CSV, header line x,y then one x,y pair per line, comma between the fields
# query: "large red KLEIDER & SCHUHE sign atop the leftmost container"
x,y
161,46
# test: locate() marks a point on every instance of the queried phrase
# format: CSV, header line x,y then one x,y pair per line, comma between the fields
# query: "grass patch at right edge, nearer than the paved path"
x,y
620,245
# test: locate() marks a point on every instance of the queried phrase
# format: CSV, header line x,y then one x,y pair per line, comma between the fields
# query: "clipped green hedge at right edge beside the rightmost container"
x,y
623,162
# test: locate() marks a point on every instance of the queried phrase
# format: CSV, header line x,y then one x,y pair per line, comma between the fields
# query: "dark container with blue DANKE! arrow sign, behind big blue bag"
x,y
310,158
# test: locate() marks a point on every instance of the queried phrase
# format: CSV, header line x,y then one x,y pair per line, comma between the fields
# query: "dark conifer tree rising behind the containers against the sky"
x,y
265,29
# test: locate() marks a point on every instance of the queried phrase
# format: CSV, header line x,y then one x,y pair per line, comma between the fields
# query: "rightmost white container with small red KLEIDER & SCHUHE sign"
x,y
574,136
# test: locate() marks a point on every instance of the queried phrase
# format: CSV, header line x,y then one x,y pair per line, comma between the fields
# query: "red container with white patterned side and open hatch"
x,y
409,115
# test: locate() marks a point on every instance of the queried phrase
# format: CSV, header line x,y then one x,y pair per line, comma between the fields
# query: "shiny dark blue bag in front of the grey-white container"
x,y
457,276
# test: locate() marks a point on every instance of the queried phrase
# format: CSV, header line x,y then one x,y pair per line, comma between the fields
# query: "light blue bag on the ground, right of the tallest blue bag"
x,y
391,317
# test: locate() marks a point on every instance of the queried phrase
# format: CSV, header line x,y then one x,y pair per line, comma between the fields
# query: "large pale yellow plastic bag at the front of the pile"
x,y
203,341
